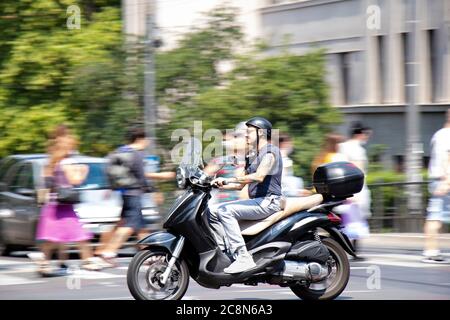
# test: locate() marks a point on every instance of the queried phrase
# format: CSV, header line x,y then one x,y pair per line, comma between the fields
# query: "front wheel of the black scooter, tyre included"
x,y
145,270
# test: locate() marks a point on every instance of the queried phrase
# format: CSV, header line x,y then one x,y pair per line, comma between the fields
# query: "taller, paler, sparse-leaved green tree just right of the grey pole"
x,y
192,67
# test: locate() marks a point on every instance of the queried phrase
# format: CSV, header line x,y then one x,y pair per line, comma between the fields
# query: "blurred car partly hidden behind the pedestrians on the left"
x,y
20,180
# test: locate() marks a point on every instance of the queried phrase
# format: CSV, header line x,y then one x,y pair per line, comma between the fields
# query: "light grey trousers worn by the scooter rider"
x,y
224,219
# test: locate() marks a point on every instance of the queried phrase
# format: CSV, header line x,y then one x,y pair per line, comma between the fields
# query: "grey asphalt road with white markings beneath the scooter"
x,y
402,275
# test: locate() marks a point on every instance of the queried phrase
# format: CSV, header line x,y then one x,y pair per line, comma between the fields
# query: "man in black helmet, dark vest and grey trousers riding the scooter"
x,y
263,175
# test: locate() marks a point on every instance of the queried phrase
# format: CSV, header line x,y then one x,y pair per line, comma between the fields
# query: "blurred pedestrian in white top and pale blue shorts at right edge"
x,y
438,211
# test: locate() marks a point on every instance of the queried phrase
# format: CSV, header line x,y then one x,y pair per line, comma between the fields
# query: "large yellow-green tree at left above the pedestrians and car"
x,y
77,76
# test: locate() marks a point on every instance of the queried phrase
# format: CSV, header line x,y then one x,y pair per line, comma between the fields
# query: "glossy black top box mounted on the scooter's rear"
x,y
338,179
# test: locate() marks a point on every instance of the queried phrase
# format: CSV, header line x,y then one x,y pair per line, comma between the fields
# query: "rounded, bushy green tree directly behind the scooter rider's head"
x,y
289,90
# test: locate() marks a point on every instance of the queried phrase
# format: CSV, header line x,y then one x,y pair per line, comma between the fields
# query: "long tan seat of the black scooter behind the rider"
x,y
293,205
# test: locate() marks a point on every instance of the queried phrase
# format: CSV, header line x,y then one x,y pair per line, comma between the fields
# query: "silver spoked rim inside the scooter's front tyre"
x,y
148,277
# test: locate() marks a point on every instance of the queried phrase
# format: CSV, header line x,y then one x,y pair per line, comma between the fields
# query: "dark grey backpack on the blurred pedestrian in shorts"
x,y
119,170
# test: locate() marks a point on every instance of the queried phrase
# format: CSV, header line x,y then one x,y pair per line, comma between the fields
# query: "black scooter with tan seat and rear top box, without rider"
x,y
305,251
